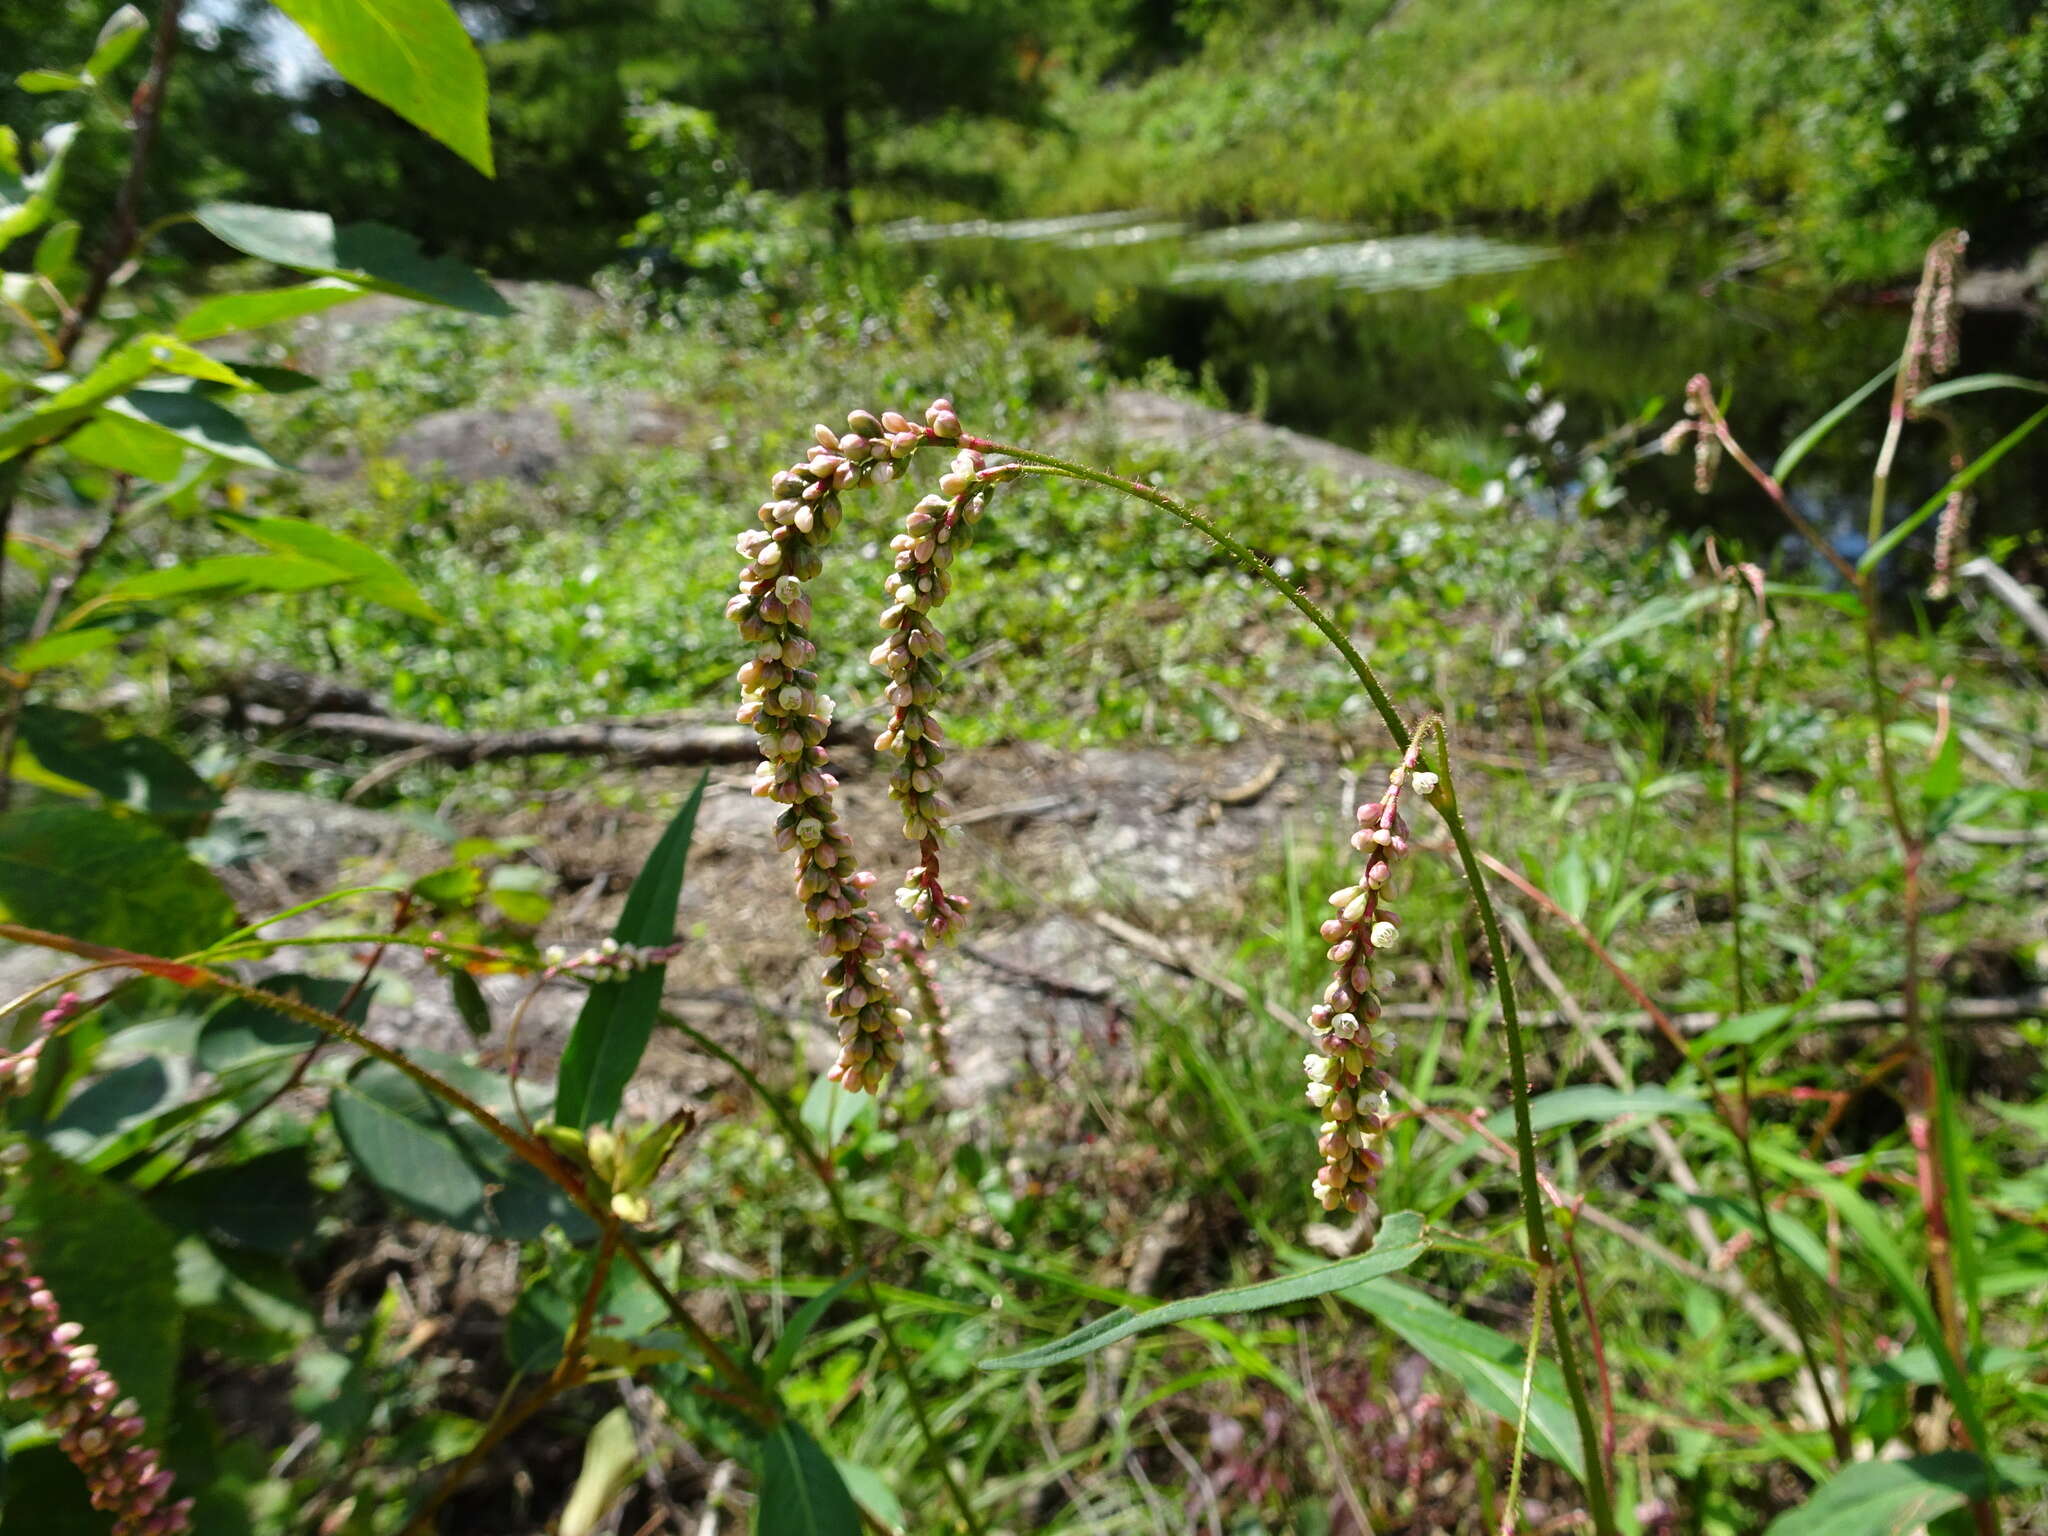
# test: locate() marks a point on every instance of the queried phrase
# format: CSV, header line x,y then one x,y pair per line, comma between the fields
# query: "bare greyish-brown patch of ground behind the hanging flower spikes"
x,y
1162,839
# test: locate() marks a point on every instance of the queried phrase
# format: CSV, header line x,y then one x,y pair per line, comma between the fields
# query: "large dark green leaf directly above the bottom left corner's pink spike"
x,y
110,1265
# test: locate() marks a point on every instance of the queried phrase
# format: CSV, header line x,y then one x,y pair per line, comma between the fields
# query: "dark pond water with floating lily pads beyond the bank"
x,y
1371,341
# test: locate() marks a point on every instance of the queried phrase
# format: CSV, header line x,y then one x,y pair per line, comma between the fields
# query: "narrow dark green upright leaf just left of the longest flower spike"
x,y
617,1021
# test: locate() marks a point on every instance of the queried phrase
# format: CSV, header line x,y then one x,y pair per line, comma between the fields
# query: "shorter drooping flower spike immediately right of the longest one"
x,y
914,656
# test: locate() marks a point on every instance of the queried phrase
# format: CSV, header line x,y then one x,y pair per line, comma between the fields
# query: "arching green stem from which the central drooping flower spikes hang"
x,y
1447,806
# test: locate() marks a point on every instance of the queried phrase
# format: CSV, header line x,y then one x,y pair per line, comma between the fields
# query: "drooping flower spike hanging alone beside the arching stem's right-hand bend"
x,y
1345,1076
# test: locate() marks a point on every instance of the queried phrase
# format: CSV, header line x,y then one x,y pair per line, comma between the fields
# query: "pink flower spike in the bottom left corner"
x,y
65,1383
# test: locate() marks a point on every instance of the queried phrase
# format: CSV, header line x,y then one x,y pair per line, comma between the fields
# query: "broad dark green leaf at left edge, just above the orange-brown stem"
x,y
108,880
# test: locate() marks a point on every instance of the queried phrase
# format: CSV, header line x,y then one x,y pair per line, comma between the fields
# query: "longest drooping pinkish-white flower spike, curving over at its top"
x,y
790,716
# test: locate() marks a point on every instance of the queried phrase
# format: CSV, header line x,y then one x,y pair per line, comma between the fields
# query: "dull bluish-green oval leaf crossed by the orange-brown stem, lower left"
x,y
441,1166
